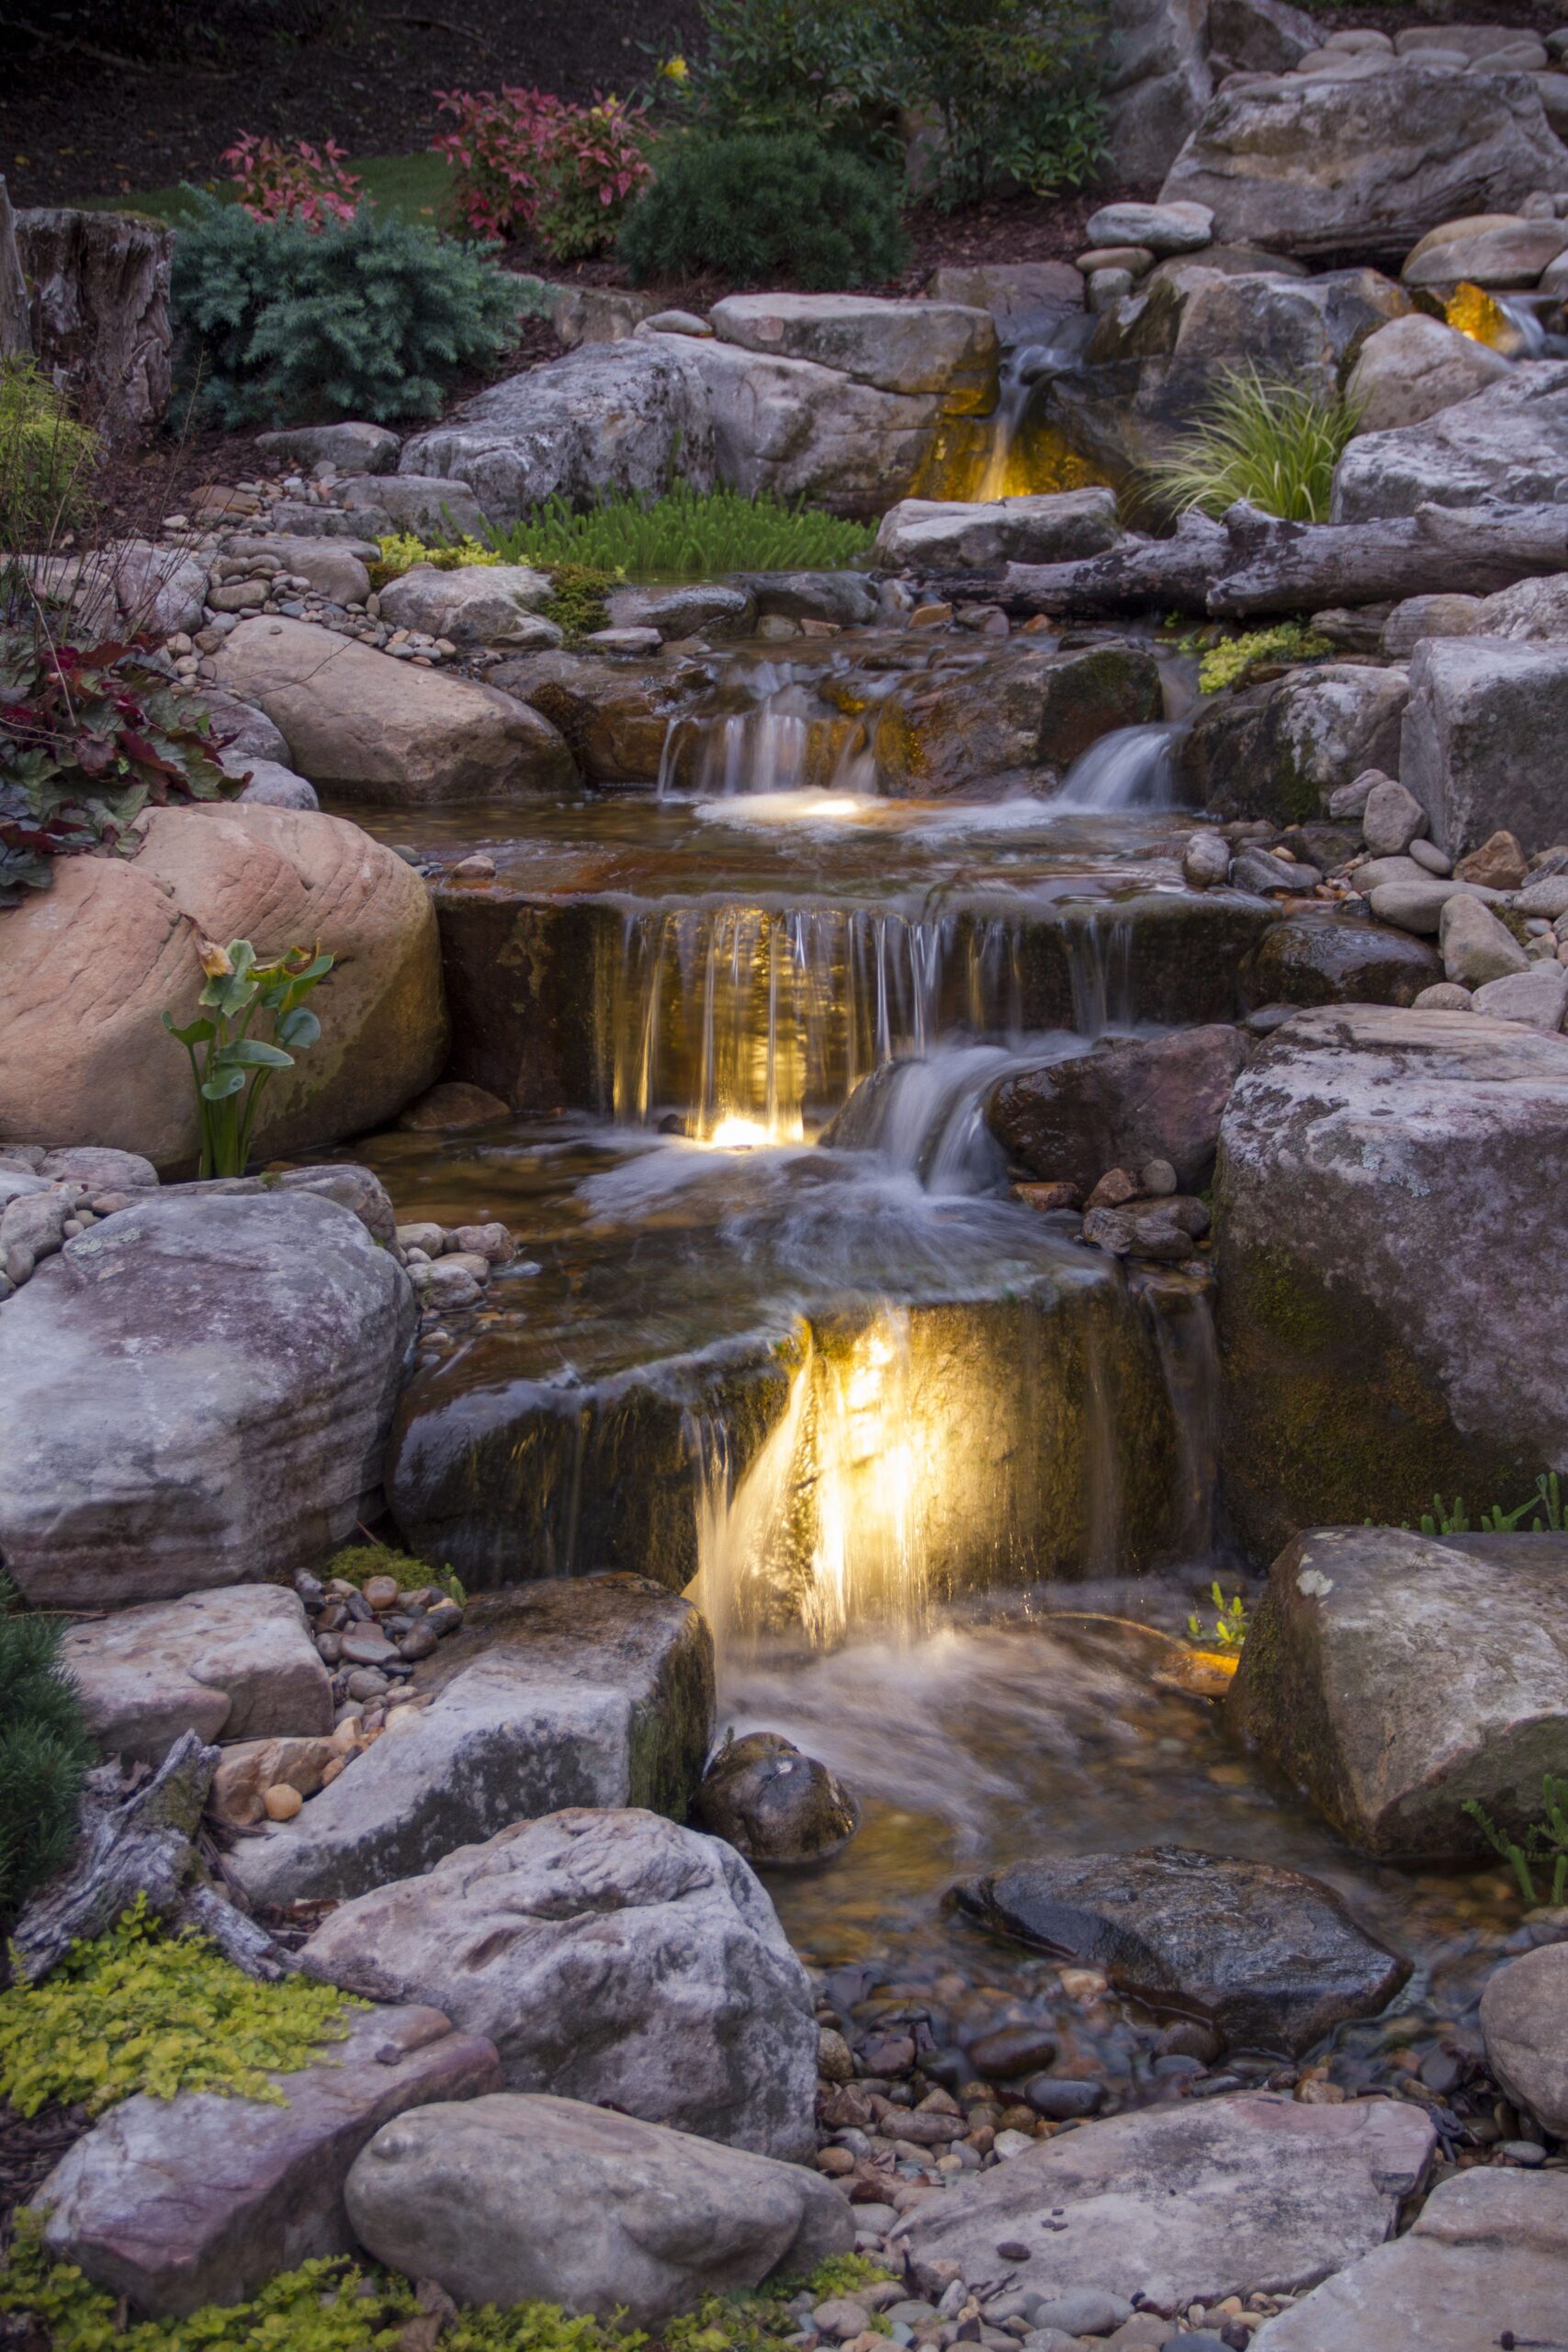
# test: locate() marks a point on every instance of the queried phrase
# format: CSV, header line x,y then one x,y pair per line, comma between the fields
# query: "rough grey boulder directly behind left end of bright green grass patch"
x,y
608,417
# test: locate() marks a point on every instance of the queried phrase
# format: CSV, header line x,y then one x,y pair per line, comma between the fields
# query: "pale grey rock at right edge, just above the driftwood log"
x,y
1506,443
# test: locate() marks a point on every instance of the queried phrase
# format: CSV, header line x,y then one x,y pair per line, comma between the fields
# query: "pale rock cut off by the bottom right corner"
x,y
1489,2245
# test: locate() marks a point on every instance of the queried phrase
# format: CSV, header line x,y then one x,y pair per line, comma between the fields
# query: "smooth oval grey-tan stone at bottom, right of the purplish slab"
x,y
544,2200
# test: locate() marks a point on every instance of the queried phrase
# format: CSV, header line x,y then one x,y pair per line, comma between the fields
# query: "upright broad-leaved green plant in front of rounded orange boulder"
x,y
236,1067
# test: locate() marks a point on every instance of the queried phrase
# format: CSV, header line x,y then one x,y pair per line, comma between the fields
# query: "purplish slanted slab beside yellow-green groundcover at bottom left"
x,y
177,2203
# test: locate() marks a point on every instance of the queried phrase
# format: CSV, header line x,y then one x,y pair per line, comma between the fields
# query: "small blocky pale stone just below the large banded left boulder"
x,y
229,1666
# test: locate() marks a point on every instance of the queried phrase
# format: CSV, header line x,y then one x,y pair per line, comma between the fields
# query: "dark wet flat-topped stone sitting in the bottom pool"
x,y
1268,1956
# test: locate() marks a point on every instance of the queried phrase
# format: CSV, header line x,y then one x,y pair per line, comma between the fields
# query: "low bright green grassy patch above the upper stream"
x,y
685,535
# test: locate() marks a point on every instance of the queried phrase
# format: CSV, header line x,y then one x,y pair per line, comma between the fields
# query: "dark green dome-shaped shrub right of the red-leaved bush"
x,y
768,208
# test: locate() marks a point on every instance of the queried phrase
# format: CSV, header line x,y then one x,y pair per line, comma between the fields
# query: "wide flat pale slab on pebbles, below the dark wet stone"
x,y
1188,2205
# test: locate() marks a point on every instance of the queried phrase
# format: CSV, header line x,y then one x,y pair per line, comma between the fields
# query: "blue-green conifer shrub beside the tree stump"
x,y
356,319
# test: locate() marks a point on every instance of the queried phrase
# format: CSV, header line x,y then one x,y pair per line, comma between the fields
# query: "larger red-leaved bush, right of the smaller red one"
x,y
528,163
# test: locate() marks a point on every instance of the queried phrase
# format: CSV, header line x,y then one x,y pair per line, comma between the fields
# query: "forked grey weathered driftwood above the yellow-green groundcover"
x,y
140,1845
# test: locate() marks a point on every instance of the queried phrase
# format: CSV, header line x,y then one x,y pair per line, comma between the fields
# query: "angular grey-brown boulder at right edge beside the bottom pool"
x,y
1400,1678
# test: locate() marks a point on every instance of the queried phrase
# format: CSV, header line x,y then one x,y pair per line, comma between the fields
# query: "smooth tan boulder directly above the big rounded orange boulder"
x,y
373,728
